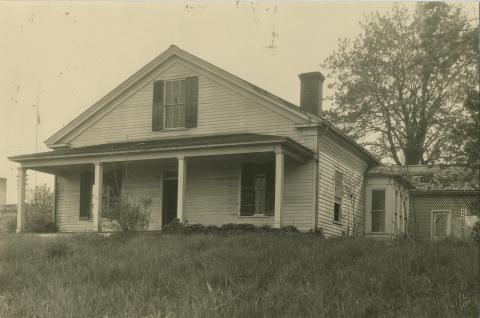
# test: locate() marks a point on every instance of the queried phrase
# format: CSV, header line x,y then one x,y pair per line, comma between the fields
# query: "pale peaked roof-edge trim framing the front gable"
x,y
154,64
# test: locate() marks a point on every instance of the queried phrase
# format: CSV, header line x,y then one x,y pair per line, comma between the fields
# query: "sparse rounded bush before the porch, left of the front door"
x,y
129,216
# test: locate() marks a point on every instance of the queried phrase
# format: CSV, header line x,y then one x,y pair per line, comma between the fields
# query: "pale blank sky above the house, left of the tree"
x,y
64,56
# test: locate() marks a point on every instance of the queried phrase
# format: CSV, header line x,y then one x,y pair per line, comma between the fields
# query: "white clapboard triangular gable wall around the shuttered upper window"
x,y
220,110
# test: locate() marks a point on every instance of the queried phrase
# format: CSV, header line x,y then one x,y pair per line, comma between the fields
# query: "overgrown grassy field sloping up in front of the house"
x,y
245,275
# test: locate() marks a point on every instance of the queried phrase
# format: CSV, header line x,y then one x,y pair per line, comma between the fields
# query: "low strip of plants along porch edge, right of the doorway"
x,y
225,229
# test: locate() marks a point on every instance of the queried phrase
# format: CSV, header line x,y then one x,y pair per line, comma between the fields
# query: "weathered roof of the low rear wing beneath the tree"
x,y
427,178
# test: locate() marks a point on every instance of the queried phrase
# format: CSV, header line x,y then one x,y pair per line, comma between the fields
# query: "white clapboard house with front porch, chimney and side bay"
x,y
208,147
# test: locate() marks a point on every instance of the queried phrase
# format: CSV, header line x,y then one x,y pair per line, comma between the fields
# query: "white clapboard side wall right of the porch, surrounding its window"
x,y
334,155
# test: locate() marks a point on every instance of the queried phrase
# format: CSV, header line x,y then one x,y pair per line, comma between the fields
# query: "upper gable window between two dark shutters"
x,y
174,110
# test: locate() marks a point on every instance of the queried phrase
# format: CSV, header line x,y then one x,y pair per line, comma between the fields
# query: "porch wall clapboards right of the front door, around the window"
x,y
212,194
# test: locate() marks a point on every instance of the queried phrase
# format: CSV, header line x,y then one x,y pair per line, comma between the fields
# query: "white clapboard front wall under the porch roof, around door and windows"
x,y
212,193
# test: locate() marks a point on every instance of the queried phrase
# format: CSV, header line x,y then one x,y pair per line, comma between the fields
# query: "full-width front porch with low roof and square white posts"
x,y
209,180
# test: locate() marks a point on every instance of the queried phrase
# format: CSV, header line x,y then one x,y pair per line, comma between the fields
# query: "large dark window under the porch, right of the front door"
x,y
257,189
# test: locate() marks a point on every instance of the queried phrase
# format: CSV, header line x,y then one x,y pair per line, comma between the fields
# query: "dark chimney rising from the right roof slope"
x,y
311,91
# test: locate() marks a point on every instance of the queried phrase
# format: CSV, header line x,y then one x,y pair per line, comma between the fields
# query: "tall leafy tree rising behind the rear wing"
x,y
399,86
